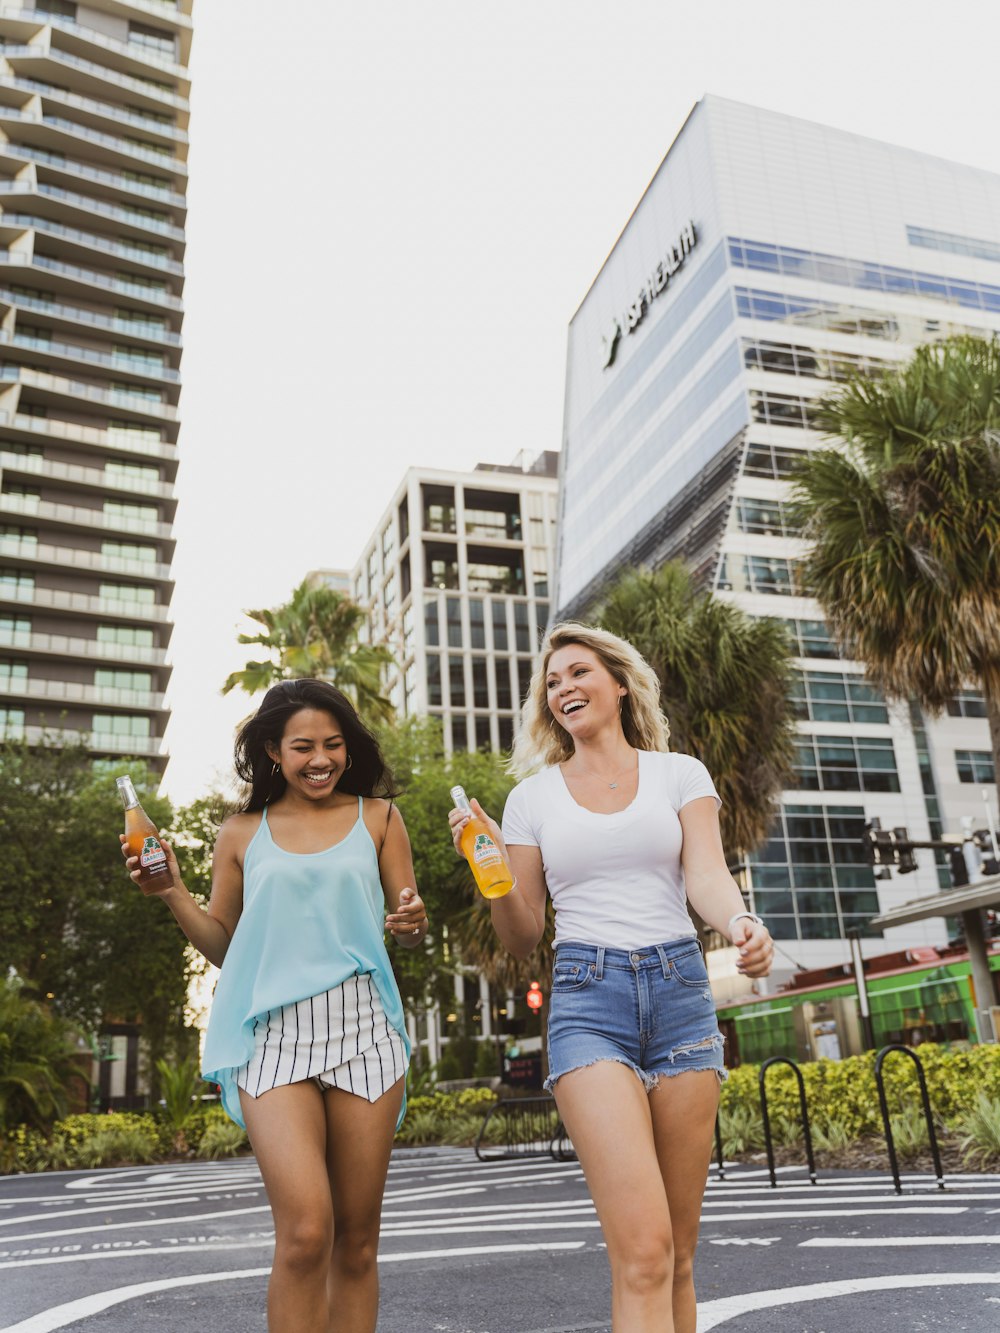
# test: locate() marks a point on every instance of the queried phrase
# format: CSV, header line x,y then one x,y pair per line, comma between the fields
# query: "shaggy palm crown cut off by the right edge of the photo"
x,y
905,522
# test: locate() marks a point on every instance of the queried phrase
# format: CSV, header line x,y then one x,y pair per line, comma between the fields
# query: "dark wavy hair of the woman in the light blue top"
x,y
369,774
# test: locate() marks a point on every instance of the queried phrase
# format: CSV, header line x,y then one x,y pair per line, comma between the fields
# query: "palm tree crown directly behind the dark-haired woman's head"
x,y
315,635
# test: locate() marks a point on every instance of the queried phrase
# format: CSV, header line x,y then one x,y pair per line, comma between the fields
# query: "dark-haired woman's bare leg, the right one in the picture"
x,y
359,1142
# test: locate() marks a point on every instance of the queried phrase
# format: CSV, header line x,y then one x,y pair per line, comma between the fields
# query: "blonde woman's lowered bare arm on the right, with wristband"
x,y
714,892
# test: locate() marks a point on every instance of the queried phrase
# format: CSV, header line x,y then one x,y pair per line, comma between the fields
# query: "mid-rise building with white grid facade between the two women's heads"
x,y
457,578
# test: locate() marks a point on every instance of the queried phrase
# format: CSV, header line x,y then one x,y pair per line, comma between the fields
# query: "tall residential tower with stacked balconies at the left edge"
x,y
94,113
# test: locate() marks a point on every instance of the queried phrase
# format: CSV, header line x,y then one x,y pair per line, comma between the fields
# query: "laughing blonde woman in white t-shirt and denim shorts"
x,y
622,834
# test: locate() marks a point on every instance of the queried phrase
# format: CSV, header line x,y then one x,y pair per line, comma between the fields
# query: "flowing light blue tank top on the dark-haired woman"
x,y
310,922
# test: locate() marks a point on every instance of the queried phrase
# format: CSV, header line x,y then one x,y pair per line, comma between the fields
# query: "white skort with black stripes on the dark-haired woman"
x,y
341,1040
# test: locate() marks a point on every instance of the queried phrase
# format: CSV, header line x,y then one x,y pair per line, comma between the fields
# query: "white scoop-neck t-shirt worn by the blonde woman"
x,y
615,879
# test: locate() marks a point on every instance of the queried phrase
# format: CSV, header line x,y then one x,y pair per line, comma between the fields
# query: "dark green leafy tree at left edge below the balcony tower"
x,y
73,924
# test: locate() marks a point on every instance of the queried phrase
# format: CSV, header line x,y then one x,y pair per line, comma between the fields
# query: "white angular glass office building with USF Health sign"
x,y
767,259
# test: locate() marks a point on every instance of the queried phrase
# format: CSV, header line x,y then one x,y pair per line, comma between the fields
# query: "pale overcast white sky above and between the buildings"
x,y
395,209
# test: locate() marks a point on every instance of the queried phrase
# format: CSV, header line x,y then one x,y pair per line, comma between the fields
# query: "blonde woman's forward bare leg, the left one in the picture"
x,y
606,1111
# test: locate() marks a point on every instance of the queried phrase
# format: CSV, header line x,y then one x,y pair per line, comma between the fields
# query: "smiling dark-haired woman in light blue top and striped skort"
x,y
307,1038
